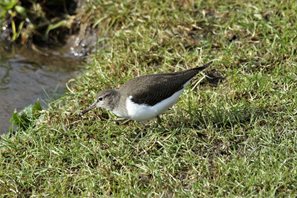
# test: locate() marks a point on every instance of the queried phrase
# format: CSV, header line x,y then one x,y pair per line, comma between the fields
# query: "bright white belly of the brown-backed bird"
x,y
145,112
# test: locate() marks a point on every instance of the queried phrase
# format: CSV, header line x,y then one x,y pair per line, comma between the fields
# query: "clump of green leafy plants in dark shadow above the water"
x,y
39,22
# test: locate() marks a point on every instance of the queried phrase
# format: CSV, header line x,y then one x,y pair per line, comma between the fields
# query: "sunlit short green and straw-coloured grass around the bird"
x,y
234,138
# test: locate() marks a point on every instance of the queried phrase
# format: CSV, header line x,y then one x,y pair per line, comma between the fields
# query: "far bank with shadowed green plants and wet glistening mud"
x,y
49,27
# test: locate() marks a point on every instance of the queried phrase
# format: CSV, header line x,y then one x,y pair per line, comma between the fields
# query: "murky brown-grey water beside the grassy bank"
x,y
27,75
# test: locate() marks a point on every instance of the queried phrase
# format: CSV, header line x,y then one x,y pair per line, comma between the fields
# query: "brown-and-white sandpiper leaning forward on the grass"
x,y
145,97
